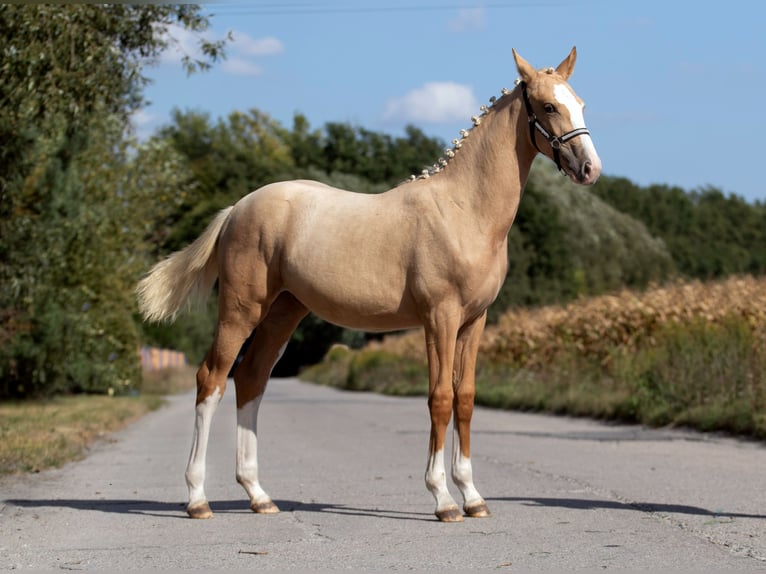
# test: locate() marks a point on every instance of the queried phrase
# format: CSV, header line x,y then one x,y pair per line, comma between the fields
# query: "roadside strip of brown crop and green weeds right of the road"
x,y
686,354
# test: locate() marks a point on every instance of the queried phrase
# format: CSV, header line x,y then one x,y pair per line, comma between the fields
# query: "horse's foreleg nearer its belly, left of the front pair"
x,y
440,346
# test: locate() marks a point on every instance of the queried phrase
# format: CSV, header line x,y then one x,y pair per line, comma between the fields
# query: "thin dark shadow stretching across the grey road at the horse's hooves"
x,y
176,510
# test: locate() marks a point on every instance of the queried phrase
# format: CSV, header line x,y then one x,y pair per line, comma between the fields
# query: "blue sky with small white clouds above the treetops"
x,y
675,91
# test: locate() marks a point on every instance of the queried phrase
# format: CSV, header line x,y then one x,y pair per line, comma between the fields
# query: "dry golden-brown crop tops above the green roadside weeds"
x,y
599,326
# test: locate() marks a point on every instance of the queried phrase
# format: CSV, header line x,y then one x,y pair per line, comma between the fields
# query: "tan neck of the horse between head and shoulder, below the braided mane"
x,y
489,171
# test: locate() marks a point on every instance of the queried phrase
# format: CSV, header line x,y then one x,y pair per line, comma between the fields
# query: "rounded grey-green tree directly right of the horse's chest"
x,y
566,243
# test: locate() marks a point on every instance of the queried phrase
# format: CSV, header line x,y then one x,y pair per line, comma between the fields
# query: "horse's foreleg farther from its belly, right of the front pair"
x,y
465,369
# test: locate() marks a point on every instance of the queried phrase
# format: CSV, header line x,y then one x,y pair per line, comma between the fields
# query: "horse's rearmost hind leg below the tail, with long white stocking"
x,y
211,384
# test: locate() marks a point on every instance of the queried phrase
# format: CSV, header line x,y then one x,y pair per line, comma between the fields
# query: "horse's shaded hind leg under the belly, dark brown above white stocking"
x,y
250,378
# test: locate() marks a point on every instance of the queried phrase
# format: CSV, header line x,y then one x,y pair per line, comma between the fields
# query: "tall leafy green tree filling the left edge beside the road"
x,y
72,196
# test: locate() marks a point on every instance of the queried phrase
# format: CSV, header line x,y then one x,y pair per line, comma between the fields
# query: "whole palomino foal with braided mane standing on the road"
x,y
430,252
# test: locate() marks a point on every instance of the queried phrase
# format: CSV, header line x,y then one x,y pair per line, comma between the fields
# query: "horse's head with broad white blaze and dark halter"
x,y
555,115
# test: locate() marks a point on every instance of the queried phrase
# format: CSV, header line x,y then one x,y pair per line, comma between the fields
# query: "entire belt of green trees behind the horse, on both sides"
x,y
85,208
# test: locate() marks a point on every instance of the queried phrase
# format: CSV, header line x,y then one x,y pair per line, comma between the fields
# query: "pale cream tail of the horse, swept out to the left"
x,y
185,277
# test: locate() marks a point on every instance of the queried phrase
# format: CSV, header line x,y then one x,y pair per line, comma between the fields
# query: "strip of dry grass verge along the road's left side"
x,y
38,435
